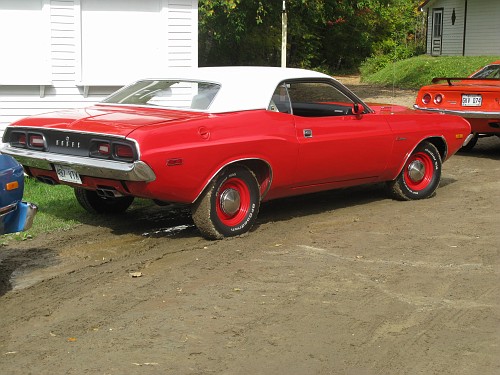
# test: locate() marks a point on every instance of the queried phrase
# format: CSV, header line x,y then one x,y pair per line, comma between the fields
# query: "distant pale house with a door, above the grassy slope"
x,y
462,27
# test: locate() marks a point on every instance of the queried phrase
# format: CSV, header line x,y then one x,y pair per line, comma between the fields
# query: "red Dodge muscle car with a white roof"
x,y
225,139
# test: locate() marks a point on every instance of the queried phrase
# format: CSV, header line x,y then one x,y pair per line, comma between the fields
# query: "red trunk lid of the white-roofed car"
x,y
116,120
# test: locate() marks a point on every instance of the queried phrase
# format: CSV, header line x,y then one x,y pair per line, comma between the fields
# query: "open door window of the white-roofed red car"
x,y
318,99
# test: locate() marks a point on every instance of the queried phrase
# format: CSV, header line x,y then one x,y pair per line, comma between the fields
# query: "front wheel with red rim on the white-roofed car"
x,y
420,175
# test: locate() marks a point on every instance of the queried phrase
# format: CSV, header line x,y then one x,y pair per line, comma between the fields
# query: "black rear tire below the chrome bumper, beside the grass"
x,y
96,204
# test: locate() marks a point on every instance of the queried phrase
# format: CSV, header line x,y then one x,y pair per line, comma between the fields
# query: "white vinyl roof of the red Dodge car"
x,y
242,88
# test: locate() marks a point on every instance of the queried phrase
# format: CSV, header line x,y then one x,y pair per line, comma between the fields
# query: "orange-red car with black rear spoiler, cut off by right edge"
x,y
476,98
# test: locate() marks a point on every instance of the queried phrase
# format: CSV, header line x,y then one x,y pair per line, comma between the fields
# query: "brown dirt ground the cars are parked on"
x,y
347,282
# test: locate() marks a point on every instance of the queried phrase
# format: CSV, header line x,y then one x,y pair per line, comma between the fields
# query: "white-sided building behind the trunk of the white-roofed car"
x,y
70,53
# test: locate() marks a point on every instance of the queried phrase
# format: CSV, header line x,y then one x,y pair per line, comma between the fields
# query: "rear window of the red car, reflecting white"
x,y
166,93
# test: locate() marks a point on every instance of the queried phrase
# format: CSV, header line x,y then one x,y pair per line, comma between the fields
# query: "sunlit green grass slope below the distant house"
x,y
419,71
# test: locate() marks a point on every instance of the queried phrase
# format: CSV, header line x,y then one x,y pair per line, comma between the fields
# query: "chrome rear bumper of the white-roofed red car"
x,y
136,171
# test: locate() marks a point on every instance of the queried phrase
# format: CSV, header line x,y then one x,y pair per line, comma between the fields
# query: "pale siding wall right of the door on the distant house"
x,y
483,28
